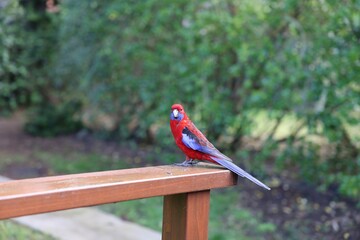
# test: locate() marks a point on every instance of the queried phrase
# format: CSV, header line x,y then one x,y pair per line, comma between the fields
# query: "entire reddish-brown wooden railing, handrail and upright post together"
x,y
186,192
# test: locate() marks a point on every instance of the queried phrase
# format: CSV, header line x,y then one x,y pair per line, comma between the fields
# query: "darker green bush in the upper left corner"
x,y
27,41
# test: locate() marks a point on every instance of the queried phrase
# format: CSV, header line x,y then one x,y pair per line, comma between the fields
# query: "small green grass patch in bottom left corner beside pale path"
x,y
10,230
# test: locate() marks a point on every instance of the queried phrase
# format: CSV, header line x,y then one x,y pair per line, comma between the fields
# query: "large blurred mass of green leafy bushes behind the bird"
x,y
228,62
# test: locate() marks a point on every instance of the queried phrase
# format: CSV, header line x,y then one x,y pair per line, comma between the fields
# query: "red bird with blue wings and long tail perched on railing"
x,y
196,147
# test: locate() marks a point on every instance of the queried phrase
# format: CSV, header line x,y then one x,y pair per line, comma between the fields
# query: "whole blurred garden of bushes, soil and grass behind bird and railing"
x,y
273,84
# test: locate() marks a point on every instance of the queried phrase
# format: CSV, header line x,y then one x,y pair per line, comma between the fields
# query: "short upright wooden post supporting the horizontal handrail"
x,y
186,216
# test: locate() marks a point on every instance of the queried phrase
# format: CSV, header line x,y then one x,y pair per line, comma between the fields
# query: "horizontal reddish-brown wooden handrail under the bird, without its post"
x,y
39,195
